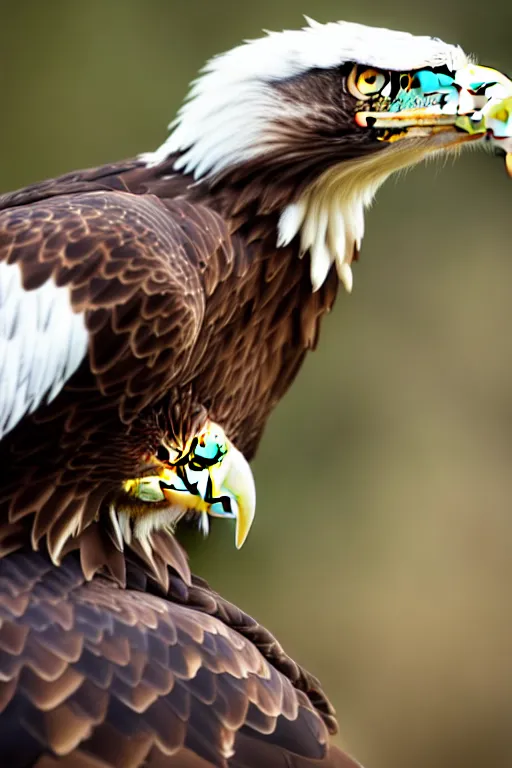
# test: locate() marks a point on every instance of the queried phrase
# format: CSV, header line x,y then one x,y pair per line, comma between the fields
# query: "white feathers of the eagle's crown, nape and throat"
x,y
228,116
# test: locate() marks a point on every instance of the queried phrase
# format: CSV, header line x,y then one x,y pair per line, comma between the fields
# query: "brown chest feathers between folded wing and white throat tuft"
x,y
260,319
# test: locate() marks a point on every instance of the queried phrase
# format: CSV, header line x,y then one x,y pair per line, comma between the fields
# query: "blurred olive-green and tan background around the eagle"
x,y
381,556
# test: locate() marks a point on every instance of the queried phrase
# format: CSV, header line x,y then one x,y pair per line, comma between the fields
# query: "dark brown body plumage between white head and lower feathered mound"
x,y
190,314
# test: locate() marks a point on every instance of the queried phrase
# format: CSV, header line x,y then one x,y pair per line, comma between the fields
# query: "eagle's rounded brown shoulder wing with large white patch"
x,y
100,275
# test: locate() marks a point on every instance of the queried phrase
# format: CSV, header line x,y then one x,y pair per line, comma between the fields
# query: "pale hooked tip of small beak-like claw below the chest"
x,y
233,479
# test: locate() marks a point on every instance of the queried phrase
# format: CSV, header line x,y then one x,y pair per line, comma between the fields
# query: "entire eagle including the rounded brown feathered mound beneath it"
x,y
153,312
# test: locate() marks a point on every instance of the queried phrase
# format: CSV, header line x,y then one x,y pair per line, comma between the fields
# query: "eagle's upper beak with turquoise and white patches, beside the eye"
x,y
430,103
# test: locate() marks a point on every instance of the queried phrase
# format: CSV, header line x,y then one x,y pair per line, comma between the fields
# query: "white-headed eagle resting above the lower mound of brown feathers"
x,y
154,311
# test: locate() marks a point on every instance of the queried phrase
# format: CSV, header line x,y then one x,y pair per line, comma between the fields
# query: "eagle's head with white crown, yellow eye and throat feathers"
x,y
321,116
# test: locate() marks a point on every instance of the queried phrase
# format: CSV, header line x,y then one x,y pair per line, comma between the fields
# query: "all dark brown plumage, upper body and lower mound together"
x,y
95,676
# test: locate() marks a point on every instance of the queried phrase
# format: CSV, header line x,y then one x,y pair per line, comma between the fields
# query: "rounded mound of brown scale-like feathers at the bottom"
x,y
95,676
